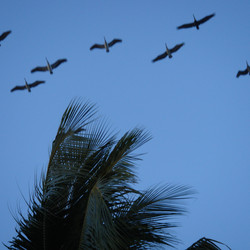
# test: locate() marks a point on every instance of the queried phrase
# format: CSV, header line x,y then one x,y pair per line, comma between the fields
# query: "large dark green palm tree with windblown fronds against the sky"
x,y
86,199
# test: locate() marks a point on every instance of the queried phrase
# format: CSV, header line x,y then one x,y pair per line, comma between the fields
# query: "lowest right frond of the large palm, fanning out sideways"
x,y
146,220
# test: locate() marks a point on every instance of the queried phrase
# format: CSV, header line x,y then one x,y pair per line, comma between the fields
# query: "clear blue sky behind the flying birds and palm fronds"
x,y
196,109
